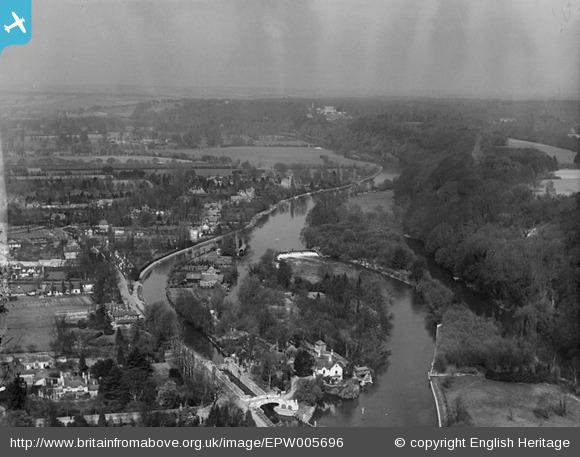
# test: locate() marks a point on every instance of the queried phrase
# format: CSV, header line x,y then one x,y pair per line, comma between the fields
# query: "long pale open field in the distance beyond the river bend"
x,y
268,156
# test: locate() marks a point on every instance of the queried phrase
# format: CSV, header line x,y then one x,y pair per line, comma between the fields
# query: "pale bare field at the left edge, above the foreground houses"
x,y
30,320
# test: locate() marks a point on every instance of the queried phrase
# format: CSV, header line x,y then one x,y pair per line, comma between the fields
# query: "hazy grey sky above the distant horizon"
x,y
510,48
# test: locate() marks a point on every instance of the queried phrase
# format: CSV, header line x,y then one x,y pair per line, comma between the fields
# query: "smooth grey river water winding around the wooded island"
x,y
400,395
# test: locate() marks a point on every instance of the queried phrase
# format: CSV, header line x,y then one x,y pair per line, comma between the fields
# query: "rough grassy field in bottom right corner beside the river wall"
x,y
502,404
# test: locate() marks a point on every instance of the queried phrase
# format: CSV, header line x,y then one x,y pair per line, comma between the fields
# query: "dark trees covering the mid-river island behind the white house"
x,y
350,315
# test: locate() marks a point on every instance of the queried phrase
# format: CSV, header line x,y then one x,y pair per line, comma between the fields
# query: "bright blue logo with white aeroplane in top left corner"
x,y
15,22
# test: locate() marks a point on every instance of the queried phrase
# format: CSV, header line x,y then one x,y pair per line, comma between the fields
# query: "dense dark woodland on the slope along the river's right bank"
x,y
480,219
